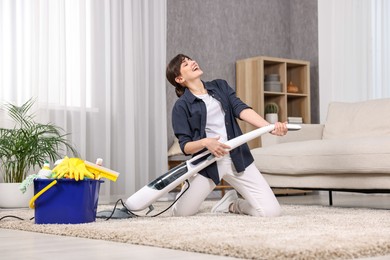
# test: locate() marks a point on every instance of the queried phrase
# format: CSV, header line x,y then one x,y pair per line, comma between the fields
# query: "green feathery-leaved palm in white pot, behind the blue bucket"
x,y
26,146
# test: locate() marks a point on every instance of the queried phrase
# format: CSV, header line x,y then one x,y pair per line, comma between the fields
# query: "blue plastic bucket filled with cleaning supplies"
x,y
67,202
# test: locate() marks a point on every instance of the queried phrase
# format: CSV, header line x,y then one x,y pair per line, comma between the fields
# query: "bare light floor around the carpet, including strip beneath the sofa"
x,y
27,245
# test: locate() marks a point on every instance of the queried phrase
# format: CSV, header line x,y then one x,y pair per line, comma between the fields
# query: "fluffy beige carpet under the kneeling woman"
x,y
302,232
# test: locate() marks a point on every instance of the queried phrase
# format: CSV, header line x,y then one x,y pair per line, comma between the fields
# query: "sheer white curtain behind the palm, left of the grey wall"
x,y
97,69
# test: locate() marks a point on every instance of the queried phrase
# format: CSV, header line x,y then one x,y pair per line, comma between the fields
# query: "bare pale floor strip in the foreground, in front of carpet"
x,y
27,245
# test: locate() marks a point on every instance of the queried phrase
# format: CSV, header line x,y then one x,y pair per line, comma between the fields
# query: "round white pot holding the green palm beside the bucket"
x,y
12,197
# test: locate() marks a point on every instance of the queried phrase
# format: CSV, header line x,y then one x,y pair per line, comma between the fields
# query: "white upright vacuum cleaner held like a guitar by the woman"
x,y
151,192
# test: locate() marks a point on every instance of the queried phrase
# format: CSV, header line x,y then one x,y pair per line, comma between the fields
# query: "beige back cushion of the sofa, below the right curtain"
x,y
360,119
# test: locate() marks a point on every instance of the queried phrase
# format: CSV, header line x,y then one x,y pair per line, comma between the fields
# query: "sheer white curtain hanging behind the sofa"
x,y
354,42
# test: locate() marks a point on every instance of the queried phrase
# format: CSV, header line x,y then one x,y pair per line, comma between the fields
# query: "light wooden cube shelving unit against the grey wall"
x,y
250,74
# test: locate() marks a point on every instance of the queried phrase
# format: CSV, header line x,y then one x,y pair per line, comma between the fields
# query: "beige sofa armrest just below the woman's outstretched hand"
x,y
308,132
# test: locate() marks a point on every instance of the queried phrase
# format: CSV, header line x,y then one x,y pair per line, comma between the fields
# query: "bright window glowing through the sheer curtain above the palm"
x,y
46,51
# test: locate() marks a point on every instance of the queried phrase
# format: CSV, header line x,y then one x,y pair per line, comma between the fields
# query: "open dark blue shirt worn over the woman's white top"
x,y
189,122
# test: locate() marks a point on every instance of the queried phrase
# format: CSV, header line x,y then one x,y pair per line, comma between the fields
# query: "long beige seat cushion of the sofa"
x,y
332,156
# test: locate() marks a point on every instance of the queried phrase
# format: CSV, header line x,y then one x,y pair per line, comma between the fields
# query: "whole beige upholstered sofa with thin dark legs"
x,y
349,152
